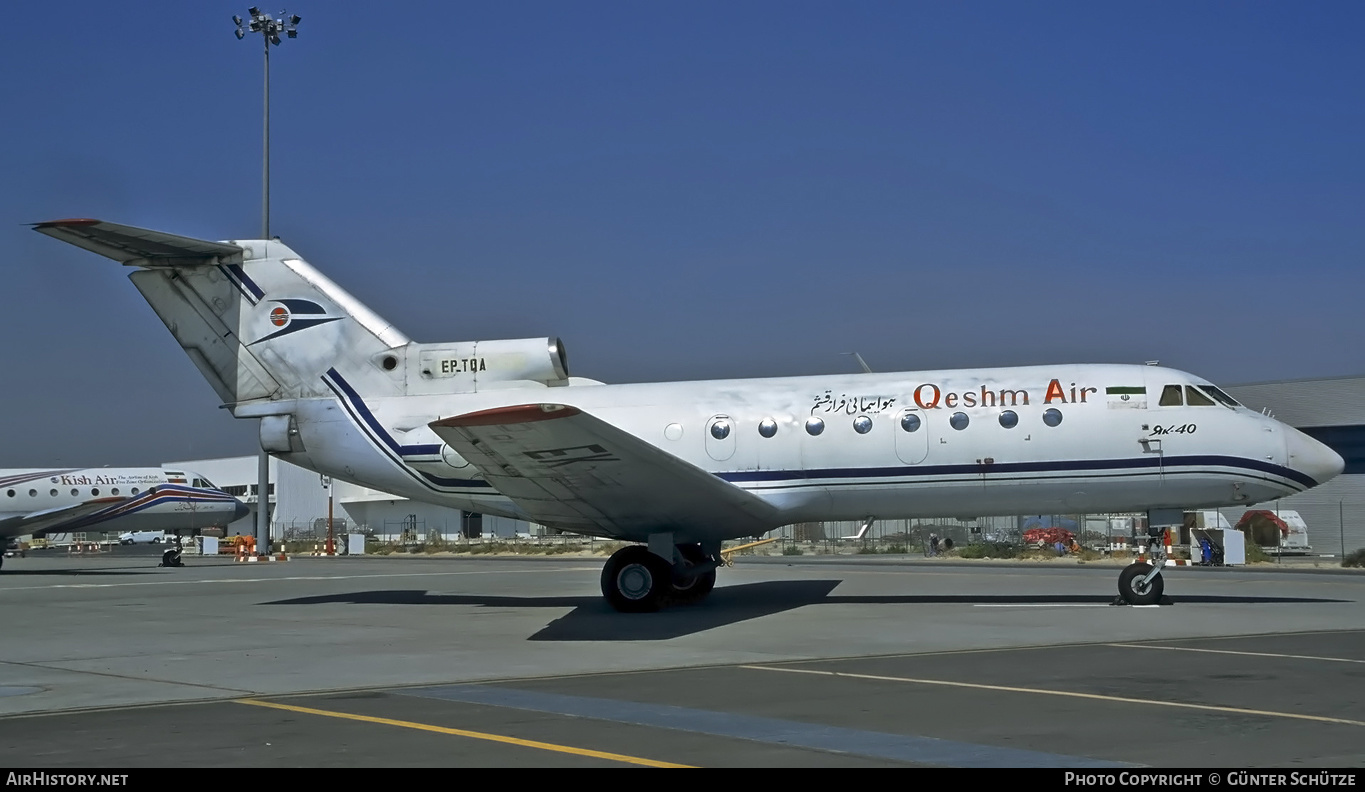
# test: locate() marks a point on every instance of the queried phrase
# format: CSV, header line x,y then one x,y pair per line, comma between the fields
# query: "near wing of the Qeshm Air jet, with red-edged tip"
x,y
574,472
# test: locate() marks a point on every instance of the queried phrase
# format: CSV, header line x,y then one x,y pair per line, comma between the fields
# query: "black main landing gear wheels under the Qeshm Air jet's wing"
x,y
640,580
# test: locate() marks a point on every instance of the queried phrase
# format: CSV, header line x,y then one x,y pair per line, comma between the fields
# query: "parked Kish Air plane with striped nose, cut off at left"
x,y
144,499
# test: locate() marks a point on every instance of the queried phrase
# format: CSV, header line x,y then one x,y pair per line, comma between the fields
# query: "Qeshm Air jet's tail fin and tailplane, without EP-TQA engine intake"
x,y
257,320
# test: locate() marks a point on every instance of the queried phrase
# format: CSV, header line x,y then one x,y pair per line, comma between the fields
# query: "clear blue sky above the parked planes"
x,y
694,190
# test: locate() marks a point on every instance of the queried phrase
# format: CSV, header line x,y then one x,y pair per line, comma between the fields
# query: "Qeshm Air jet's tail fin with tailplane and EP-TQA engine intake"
x,y
265,327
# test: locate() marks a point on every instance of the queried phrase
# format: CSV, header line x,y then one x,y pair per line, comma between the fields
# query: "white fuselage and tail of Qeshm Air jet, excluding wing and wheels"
x,y
343,393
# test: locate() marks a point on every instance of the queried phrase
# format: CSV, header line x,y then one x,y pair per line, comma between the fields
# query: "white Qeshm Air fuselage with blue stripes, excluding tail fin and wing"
x,y
1105,455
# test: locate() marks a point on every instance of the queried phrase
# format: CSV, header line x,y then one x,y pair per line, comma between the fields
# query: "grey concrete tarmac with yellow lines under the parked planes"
x,y
111,662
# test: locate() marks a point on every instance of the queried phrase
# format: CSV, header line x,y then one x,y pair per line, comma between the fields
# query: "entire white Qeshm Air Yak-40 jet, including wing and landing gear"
x,y
502,428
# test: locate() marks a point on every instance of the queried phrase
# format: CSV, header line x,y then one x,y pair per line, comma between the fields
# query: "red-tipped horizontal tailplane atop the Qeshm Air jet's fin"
x,y
139,246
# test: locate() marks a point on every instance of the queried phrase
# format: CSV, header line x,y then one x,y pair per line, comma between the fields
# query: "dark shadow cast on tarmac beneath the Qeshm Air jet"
x,y
593,619
